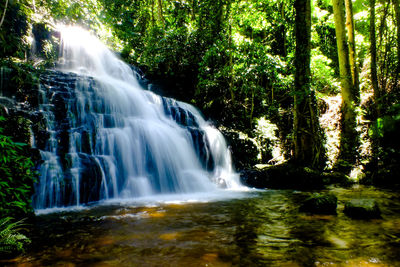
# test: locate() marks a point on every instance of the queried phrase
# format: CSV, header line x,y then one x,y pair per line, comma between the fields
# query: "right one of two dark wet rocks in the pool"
x,y
362,209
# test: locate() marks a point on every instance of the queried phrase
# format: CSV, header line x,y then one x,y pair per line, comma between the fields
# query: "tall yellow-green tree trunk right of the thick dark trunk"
x,y
348,138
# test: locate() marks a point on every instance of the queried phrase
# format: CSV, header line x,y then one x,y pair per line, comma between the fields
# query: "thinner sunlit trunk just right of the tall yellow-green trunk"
x,y
352,49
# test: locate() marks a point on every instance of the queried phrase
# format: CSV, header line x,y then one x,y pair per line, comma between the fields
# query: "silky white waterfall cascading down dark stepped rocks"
x,y
108,138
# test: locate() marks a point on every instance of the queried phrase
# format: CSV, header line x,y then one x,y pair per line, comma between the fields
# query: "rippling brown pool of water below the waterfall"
x,y
264,229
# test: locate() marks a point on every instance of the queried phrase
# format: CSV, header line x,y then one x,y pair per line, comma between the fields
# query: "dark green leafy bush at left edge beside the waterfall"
x,y
16,177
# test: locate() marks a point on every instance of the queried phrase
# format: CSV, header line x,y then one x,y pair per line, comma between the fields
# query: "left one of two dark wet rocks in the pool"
x,y
320,204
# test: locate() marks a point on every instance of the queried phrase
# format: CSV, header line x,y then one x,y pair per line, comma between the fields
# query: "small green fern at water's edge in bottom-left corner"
x,y
11,240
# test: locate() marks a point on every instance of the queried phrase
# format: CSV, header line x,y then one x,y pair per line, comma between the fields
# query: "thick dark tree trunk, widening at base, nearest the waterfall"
x,y
306,137
